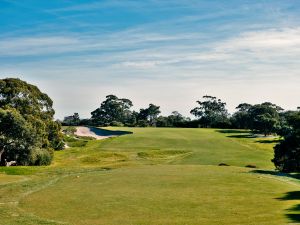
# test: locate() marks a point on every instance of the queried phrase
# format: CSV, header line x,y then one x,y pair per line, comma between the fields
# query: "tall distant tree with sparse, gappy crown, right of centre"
x,y
211,112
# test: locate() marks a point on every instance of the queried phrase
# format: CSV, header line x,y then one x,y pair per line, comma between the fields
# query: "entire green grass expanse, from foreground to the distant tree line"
x,y
153,176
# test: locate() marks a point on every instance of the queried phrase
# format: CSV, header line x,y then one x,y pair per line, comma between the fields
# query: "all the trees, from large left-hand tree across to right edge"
x,y
29,134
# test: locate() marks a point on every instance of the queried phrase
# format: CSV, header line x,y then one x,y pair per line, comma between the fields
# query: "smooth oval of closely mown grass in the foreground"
x,y
163,195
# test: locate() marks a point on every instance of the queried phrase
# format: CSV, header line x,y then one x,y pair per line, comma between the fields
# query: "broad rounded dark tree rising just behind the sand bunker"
x,y
112,110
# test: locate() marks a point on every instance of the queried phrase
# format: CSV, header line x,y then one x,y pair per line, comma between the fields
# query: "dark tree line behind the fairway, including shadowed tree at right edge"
x,y
265,118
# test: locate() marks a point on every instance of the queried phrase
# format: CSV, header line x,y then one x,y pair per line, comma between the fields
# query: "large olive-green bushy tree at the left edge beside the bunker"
x,y
28,133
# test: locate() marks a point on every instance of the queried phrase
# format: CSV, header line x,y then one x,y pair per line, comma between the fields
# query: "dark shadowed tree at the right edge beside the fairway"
x,y
287,152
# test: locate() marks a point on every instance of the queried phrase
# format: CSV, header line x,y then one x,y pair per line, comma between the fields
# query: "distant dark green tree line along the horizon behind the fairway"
x,y
210,112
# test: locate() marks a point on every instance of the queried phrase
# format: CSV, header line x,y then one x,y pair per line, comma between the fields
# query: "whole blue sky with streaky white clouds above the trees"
x,y
169,53
